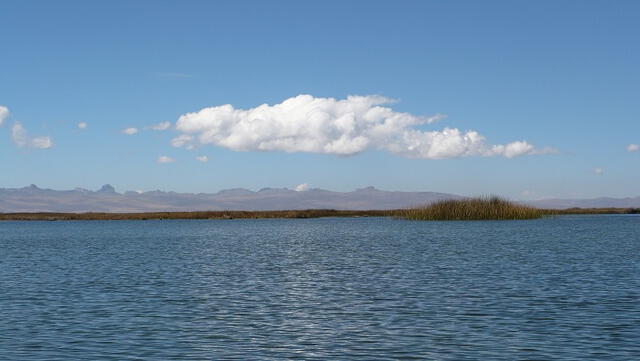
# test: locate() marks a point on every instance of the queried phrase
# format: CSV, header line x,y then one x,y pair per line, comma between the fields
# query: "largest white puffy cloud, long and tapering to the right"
x,y
330,126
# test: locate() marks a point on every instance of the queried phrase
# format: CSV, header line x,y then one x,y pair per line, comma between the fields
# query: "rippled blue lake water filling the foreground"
x,y
566,288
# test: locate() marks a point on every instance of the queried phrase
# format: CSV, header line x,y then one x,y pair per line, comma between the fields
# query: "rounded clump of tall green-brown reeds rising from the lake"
x,y
481,208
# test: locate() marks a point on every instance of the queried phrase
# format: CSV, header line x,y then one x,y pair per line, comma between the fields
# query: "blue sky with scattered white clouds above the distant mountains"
x,y
524,99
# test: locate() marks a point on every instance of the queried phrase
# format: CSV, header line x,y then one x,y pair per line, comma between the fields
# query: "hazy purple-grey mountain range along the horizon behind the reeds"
x,y
107,199
